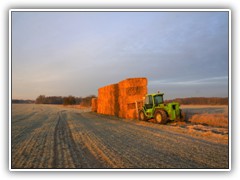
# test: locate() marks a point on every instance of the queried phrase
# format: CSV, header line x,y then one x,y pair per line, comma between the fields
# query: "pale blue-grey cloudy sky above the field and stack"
x,y
183,54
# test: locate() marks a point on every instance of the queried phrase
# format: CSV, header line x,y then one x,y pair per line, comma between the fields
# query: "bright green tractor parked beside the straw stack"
x,y
154,107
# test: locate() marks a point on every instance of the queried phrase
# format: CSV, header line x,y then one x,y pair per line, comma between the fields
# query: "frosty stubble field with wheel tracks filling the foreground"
x,y
54,137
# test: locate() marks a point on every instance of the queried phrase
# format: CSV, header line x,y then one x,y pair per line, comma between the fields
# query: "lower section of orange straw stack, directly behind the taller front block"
x,y
108,100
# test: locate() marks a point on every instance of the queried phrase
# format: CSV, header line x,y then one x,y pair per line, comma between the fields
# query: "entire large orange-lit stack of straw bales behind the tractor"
x,y
120,99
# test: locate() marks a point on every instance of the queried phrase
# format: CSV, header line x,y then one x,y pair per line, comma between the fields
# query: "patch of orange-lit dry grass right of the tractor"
x,y
219,120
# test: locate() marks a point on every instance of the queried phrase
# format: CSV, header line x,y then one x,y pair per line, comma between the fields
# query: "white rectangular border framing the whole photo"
x,y
122,10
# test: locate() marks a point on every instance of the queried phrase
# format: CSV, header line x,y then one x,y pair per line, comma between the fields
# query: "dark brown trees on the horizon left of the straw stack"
x,y
69,100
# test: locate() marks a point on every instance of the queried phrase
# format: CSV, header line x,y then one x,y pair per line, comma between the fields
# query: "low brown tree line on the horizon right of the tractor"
x,y
201,100
